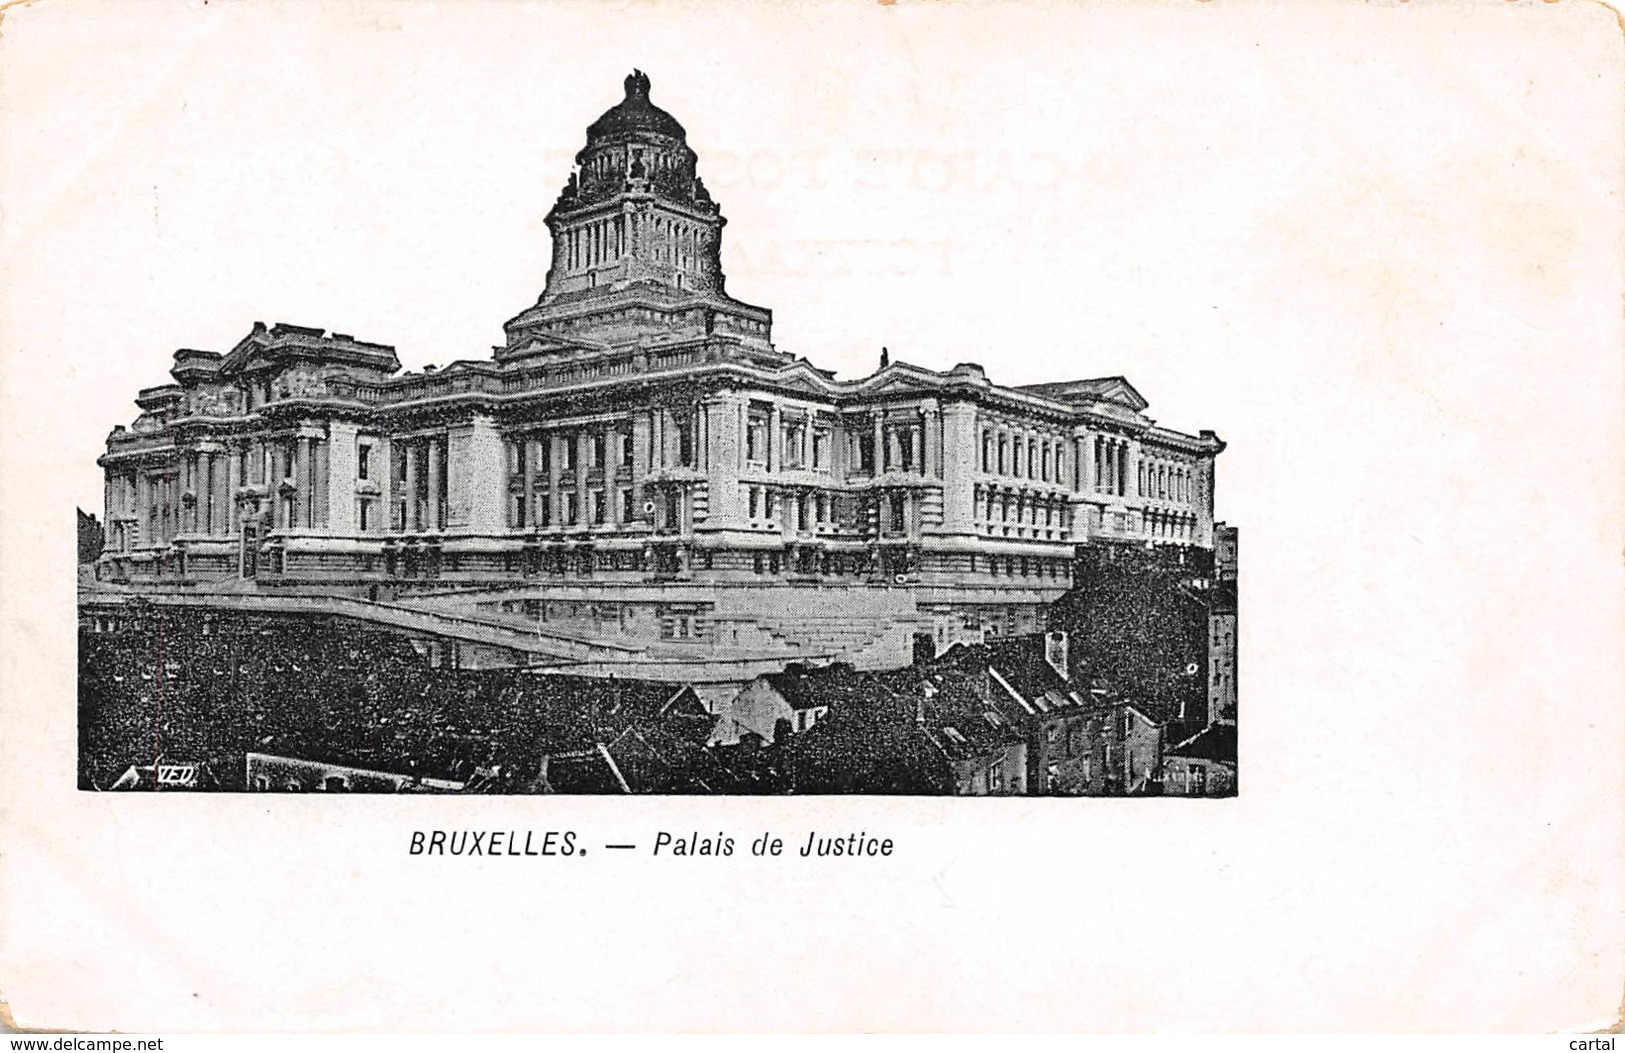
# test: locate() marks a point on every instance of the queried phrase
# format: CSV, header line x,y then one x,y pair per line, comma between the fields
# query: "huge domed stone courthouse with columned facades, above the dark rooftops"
x,y
638,466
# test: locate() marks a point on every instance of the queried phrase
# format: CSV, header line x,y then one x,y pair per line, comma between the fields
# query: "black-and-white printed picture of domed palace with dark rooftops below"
x,y
639,548
